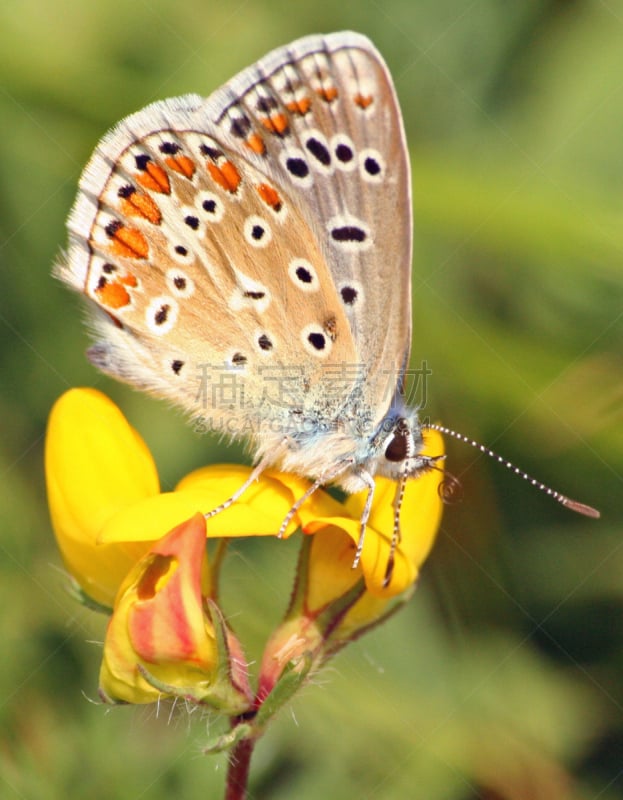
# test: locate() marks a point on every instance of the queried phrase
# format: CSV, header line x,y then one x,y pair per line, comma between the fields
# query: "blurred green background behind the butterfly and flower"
x,y
502,680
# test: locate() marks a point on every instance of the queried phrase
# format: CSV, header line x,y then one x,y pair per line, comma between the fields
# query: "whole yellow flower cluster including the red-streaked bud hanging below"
x,y
120,536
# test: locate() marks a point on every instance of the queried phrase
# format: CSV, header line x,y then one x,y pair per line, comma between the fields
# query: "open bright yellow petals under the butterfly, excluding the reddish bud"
x,y
107,510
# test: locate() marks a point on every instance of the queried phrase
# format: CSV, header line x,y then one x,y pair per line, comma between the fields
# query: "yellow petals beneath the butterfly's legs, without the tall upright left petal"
x,y
263,507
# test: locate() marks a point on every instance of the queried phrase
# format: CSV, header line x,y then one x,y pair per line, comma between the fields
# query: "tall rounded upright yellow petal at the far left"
x,y
95,464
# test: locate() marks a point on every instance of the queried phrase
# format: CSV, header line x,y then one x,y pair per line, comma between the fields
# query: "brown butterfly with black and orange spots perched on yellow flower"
x,y
248,257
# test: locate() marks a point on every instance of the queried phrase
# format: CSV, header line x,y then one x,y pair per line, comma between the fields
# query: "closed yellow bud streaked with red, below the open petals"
x,y
162,641
